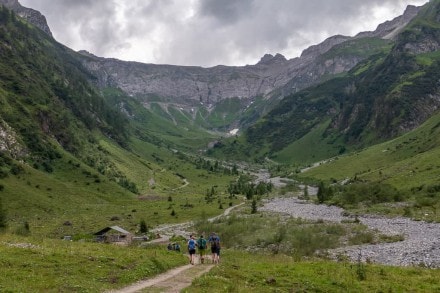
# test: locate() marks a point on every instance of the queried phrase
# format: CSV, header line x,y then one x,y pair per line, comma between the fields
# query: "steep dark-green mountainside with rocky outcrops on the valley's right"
x,y
388,94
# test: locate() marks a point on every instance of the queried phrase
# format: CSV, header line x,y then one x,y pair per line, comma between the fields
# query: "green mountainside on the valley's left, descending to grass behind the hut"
x,y
74,158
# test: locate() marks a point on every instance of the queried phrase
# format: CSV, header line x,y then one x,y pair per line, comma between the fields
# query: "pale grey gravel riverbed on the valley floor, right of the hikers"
x,y
421,244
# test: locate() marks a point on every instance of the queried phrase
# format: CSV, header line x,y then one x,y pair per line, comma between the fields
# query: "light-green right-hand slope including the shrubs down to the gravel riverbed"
x,y
409,164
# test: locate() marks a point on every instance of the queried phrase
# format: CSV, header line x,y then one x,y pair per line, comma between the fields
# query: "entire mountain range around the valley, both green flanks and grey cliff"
x,y
141,128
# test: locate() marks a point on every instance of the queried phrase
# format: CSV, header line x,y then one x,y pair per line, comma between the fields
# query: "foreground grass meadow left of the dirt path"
x,y
30,264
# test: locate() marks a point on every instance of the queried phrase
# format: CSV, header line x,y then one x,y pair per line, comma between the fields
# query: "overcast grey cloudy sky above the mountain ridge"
x,y
208,32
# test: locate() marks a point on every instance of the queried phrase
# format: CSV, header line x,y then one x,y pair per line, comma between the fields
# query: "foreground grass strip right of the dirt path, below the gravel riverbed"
x,y
241,271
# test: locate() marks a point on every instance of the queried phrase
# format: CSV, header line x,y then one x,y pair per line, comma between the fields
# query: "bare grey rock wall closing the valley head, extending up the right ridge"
x,y
189,86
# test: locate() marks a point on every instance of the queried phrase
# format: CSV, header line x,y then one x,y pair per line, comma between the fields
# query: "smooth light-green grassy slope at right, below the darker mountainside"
x,y
409,161
